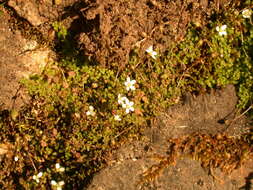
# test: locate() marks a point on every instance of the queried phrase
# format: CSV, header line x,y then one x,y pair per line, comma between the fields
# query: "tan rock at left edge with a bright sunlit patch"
x,y
19,57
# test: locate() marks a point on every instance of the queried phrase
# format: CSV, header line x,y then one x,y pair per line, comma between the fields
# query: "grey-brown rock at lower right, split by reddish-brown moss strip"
x,y
201,114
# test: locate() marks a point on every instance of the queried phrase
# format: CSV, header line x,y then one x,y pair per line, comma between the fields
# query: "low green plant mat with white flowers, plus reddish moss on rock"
x,y
80,110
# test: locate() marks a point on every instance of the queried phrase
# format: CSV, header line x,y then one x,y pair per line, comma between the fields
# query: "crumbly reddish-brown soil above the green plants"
x,y
118,27
